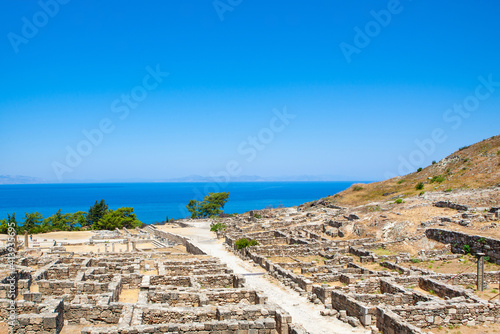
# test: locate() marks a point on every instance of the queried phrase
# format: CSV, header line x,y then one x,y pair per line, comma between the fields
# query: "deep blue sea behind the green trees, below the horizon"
x,y
153,202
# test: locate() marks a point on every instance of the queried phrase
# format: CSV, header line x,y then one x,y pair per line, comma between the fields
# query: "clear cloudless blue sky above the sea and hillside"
x,y
355,85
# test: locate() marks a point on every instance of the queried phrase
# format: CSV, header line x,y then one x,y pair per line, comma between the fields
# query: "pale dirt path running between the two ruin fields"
x,y
302,311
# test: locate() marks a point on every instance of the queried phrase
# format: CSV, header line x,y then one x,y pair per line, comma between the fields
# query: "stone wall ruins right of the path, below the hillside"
x,y
308,255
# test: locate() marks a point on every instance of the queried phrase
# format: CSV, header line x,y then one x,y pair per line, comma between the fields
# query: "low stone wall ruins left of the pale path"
x,y
134,292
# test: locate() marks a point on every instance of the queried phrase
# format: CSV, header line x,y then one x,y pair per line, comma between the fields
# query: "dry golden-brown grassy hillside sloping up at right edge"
x,y
473,167
